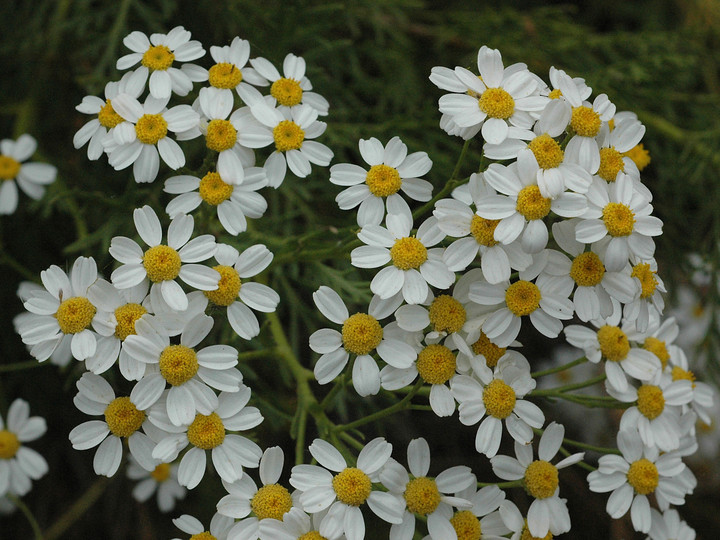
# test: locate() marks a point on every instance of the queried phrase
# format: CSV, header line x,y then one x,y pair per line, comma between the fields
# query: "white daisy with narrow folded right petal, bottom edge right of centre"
x,y
548,512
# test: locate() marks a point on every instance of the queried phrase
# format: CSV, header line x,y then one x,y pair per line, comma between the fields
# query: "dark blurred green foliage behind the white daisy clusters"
x,y
371,59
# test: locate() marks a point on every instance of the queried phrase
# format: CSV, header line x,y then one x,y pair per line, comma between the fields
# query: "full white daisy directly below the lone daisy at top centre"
x,y
413,267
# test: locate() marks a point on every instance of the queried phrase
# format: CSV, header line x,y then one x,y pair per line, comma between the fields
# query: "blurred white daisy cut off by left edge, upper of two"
x,y
31,177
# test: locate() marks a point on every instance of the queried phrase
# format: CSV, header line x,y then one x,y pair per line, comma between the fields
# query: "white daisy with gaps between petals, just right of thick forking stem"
x,y
361,334
